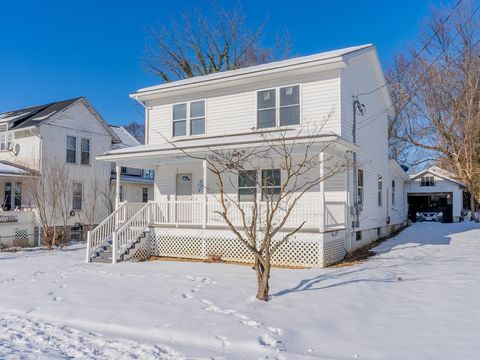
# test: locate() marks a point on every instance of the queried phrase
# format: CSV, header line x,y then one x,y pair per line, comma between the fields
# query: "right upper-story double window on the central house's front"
x,y
272,113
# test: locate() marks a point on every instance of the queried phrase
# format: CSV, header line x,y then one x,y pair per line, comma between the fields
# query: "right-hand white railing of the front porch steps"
x,y
130,231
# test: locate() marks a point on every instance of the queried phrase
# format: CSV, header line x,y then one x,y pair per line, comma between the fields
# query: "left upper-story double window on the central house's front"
x,y
189,118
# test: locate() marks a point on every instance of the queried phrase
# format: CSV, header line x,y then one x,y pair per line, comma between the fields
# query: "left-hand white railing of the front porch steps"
x,y
103,232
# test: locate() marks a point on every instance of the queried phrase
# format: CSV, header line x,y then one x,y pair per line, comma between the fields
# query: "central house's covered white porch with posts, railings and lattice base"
x,y
185,215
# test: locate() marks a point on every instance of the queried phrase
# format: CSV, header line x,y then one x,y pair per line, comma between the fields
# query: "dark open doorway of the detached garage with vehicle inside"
x,y
430,207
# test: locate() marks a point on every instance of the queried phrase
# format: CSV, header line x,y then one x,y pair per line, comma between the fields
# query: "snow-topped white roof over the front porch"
x,y
147,154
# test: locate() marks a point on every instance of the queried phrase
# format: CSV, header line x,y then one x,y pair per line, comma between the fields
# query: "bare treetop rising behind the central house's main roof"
x,y
200,45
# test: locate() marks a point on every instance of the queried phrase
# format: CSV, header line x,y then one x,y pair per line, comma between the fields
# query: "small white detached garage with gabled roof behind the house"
x,y
435,195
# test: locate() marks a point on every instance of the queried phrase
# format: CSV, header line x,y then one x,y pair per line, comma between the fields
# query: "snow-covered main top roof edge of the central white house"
x,y
328,55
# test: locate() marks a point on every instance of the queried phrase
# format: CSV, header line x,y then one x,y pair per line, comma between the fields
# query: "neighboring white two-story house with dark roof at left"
x,y
56,142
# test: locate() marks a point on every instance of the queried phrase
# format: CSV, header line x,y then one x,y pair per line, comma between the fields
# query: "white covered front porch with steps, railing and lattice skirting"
x,y
183,220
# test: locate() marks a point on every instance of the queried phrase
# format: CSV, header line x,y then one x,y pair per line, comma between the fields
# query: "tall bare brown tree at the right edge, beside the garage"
x,y
437,95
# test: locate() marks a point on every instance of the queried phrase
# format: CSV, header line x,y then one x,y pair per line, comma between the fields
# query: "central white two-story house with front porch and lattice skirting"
x,y
218,111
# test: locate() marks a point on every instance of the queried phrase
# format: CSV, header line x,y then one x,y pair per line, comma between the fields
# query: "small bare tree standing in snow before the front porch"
x,y
284,167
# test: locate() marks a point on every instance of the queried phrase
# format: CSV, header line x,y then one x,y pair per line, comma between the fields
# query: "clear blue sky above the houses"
x,y
54,50
